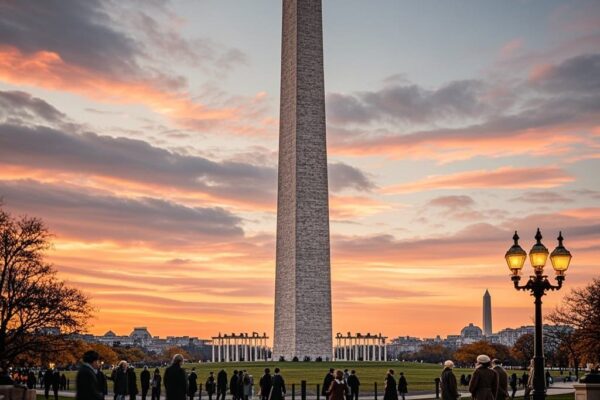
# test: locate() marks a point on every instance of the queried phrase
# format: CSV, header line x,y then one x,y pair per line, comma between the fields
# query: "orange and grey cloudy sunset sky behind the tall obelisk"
x,y
145,134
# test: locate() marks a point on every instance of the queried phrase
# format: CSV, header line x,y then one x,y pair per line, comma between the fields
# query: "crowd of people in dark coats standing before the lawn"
x,y
489,381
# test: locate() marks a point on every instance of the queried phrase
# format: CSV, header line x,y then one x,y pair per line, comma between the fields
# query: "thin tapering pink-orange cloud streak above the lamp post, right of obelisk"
x,y
502,178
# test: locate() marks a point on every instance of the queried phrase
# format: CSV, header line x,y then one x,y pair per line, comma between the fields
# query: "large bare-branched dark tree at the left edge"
x,y
37,310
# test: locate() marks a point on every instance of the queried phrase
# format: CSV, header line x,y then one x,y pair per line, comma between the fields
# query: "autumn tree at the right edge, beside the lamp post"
x,y
580,311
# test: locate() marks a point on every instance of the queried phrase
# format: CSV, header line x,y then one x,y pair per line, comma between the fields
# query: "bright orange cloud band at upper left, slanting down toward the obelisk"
x,y
48,70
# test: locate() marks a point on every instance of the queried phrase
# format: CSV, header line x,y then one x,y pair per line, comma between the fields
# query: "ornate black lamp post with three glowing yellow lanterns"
x,y
538,284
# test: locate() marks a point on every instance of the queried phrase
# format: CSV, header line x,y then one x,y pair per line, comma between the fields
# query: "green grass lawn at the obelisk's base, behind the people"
x,y
420,377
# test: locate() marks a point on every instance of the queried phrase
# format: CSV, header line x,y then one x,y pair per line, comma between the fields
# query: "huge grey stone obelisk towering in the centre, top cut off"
x,y
303,278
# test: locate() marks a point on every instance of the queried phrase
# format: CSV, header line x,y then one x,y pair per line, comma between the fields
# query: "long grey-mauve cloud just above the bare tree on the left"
x,y
95,215
